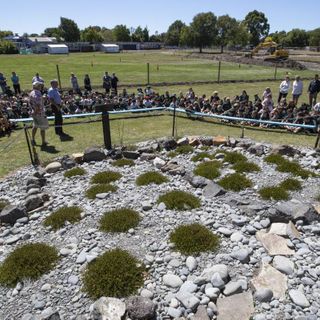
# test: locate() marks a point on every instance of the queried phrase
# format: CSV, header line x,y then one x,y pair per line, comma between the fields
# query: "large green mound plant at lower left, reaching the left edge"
x,y
29,261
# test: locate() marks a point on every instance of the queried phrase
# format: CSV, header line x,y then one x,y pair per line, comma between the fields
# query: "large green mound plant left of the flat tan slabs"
x,y
194,239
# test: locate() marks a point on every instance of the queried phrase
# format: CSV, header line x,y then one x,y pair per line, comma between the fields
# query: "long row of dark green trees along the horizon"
x,y
205,30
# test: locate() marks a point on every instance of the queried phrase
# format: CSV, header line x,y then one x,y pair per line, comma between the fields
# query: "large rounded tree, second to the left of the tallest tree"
x,y
204,29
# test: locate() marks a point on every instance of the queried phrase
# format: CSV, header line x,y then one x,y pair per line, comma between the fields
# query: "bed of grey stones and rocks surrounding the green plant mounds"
x,y
267,266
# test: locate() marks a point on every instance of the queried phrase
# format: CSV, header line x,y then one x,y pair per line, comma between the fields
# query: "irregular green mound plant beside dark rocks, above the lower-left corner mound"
x,y
58,218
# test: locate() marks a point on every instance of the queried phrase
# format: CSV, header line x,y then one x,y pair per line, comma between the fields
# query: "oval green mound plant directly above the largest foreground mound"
x,y
119,220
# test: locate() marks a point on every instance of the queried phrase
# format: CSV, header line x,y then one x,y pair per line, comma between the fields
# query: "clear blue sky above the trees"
x,y
33,16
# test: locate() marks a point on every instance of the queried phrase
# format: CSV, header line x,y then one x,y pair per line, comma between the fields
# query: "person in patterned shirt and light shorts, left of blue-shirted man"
x,y
38,114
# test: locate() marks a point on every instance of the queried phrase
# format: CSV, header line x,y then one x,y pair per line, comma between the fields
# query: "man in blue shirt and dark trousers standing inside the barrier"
x,y
55,100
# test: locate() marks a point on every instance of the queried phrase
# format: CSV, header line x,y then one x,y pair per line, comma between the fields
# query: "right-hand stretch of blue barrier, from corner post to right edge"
x,y
217,116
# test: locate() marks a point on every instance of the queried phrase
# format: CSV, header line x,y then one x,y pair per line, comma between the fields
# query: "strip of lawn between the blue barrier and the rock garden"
x,y
14,152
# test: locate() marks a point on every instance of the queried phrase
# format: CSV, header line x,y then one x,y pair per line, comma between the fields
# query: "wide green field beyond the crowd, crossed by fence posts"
x,y
131,68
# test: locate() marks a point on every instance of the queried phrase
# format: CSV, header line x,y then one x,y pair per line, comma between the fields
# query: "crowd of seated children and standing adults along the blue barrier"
x,y
282,107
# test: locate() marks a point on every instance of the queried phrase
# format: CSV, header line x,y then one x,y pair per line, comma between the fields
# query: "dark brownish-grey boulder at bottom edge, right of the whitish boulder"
x,y
140,308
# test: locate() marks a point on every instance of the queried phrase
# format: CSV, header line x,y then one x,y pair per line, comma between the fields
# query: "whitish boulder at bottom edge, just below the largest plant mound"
x,y
107,308
